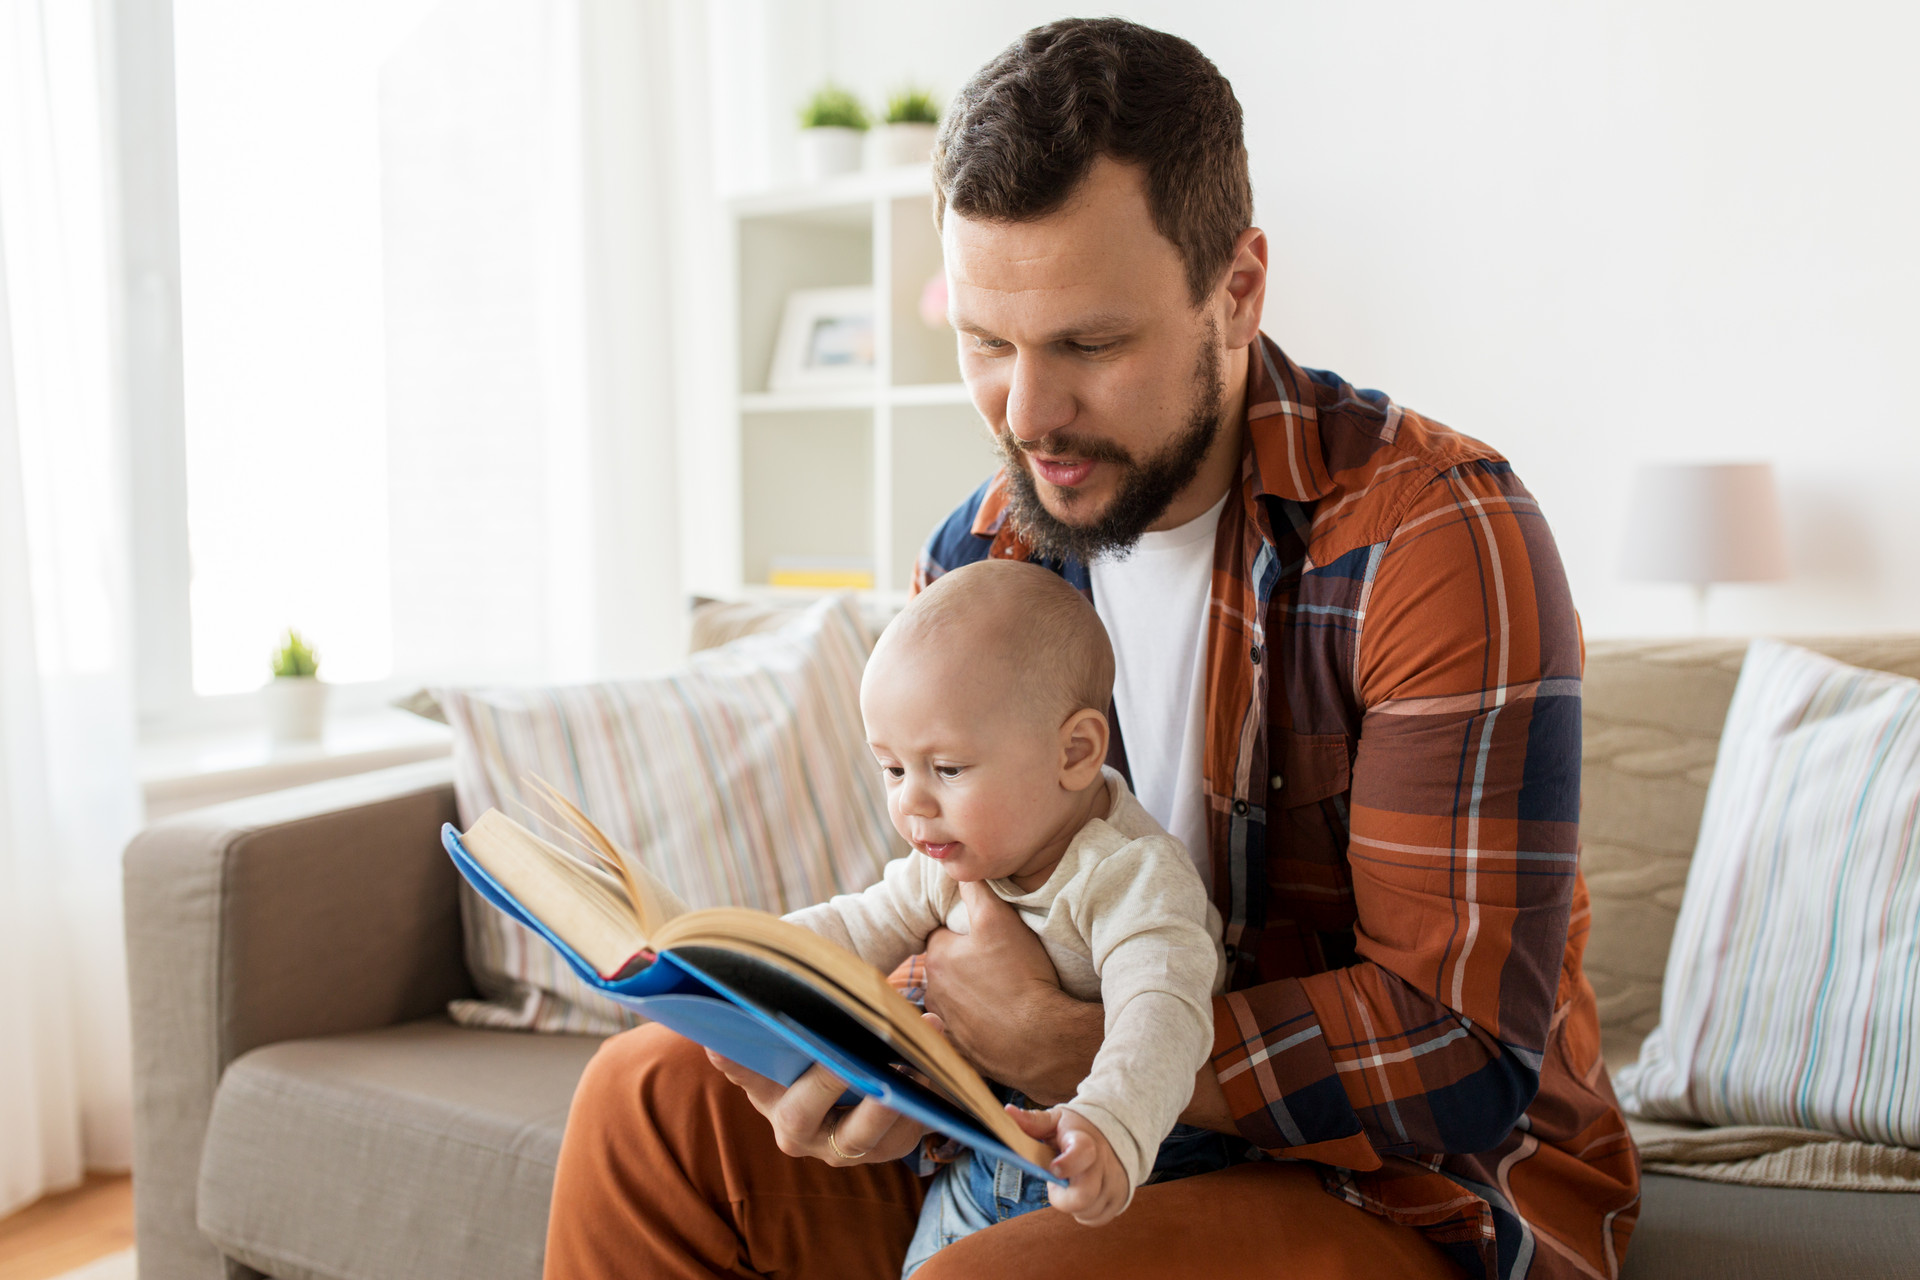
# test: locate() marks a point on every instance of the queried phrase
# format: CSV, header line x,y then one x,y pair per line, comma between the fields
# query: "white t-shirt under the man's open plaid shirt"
x,y
1155,611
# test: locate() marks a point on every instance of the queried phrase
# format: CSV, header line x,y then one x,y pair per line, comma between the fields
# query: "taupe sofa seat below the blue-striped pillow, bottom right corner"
x,y
1714,1231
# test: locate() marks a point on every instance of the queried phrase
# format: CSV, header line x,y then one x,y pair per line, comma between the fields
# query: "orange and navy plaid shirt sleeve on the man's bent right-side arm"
x,y
1464,826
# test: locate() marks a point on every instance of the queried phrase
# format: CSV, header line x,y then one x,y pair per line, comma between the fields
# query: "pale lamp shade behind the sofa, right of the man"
x,y
1704,523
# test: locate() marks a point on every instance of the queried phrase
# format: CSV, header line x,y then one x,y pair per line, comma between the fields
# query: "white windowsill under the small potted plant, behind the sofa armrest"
x,y
195,770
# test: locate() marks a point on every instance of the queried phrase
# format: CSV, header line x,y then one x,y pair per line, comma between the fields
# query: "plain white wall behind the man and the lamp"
x,y
1587,233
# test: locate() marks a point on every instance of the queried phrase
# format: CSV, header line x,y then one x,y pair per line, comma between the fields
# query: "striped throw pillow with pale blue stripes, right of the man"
x,y
1792,991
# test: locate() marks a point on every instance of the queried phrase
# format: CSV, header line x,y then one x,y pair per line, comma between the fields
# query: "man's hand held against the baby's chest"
x,y
1001,1003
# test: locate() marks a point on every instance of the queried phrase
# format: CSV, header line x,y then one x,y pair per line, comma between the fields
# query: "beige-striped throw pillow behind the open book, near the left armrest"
x,y
740,780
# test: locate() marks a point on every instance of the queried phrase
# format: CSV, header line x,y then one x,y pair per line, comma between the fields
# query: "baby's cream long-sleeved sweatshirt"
x,y
1126,922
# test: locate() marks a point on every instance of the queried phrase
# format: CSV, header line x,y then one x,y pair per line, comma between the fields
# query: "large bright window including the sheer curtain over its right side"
x,y
425,344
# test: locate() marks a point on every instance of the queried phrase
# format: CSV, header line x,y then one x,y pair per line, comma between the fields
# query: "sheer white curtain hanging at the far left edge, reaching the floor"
x,y
68,794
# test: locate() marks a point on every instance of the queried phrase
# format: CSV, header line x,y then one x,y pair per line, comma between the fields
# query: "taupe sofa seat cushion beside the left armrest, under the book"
x,y
421,1150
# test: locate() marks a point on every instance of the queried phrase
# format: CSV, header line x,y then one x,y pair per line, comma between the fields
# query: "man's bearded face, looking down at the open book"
x,y
1090,362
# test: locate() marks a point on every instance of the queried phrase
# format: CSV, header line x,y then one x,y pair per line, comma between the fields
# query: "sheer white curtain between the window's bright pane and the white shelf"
x,y
550,158
